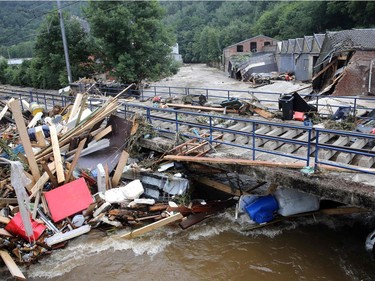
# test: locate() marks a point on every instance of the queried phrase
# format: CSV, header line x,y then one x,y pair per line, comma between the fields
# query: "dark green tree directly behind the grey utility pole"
x,y
48,68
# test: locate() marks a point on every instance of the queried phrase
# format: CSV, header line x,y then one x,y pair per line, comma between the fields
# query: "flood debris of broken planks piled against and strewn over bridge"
x,y
77,175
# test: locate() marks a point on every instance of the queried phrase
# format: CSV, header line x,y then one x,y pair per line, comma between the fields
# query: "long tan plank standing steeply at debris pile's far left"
x,y
21,127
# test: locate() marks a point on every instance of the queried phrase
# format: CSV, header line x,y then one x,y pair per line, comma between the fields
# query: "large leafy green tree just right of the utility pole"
x,y
132,42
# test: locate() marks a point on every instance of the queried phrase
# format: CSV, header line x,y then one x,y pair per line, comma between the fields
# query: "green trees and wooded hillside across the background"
x,y
132,38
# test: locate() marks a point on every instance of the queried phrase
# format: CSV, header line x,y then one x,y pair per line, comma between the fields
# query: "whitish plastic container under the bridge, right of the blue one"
x,y
293,202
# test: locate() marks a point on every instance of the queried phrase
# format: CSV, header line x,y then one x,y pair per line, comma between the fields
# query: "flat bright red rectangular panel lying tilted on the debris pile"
x,y
68,199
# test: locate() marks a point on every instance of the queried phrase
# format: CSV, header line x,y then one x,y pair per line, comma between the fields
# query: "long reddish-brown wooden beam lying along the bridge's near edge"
x,y
246,162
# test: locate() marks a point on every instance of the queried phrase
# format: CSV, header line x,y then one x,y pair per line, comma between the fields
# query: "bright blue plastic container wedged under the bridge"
x,y
263,209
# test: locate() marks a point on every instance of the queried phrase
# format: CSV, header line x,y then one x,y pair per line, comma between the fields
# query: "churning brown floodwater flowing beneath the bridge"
x,y
313,248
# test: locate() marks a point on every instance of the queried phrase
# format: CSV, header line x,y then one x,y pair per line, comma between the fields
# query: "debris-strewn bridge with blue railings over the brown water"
x,y
251,137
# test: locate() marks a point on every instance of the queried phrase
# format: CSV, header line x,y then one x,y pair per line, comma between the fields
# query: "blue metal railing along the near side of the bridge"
x,y
127,110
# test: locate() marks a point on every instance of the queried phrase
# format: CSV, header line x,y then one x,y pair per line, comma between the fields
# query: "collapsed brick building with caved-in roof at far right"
x,y
346,63
